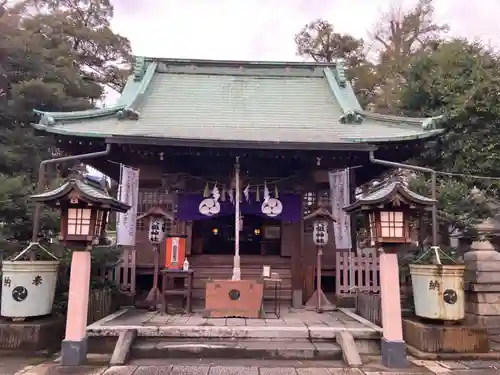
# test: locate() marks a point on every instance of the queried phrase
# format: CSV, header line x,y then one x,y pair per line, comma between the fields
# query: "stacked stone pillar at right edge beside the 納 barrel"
x,y
482,286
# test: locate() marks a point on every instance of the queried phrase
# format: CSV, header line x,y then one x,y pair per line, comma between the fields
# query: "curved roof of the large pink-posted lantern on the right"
x,y
394,192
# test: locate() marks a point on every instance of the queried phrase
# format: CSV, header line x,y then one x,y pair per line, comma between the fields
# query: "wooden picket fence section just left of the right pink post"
x,y
357,272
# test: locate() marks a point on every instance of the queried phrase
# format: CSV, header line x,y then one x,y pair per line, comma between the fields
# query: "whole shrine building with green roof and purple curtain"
x,y
184,123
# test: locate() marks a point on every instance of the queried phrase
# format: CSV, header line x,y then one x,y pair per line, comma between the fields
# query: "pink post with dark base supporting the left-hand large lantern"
x,y
74,345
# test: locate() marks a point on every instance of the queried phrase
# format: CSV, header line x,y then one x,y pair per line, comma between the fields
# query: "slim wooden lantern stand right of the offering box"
x,y
321,216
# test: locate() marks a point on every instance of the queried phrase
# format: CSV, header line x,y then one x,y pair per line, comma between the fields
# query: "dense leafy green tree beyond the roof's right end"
x,y
461,80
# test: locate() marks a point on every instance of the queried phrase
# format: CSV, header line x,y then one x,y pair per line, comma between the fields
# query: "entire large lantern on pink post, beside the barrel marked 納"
x,y
388,210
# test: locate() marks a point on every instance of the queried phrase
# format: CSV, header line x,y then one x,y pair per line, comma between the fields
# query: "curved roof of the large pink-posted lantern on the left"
x,y
87,191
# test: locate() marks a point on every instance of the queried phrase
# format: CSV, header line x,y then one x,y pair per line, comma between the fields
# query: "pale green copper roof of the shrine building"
x,y
240,101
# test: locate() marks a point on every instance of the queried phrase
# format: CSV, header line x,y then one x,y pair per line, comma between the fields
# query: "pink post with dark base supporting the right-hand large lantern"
x,y
393,347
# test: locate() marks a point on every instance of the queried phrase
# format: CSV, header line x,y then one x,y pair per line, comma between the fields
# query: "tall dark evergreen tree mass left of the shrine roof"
x,y
52,60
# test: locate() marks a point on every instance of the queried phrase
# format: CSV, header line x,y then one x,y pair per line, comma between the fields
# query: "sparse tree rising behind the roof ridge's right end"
x,y
318,41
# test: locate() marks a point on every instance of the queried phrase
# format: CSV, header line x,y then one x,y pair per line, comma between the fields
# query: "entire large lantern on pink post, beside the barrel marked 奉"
x,y
84,206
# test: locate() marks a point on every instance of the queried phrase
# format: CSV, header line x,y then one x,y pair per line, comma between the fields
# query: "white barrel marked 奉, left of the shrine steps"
x,y
28,288
